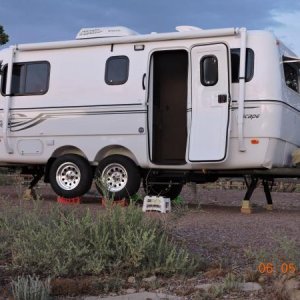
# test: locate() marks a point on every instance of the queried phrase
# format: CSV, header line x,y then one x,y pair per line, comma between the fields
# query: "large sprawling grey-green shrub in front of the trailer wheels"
x,y
63,242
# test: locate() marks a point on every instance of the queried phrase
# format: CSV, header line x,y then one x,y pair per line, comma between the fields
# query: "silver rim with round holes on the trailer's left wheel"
x,y
68,176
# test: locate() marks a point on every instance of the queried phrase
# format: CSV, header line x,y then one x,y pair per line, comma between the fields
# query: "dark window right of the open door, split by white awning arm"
x,y
235,64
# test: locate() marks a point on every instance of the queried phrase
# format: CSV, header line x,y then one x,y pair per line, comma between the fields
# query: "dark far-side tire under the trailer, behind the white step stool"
x,y
165,190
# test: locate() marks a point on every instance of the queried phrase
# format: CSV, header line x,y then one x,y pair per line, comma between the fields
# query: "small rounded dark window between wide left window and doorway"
x,y
116,70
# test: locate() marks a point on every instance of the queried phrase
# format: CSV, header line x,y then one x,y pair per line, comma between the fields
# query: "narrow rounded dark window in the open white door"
x,y
209,70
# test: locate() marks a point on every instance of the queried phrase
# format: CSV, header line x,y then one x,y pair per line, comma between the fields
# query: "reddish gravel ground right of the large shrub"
x,y
219,231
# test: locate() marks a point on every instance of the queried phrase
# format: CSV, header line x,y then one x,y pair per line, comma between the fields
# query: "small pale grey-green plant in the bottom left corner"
x,y
30,288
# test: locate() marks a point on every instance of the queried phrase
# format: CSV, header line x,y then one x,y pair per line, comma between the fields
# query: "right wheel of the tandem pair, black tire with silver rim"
x,y
119,175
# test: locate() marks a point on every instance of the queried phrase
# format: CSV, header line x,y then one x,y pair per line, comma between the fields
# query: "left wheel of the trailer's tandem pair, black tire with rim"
x,y
70,176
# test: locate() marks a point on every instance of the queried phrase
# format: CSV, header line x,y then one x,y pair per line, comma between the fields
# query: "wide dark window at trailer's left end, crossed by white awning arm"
x,y
30,78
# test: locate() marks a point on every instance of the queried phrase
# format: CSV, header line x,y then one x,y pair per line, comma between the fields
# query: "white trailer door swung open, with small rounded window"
x,y
209,130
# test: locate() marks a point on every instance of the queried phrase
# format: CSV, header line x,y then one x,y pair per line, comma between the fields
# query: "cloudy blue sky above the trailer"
x,y
28,21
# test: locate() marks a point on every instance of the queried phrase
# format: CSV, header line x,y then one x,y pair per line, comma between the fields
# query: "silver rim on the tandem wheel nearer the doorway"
x,y
115,176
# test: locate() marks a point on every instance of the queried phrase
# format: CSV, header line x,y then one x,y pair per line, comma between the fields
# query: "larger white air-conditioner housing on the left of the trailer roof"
x,y
104,32
